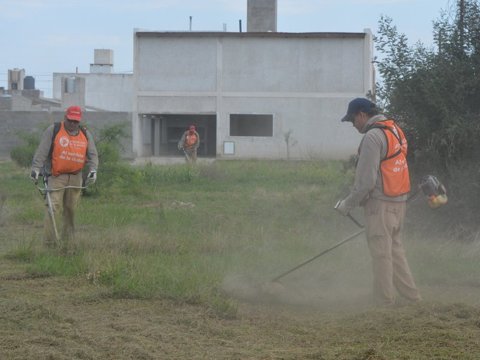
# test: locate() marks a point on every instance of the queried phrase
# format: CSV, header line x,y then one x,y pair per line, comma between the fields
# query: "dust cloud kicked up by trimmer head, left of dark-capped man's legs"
x,y
334,289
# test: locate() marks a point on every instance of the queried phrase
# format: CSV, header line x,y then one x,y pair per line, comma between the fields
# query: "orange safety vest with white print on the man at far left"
x,y
69,152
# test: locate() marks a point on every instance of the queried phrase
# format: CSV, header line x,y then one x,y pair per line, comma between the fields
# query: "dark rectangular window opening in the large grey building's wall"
x,y
251,125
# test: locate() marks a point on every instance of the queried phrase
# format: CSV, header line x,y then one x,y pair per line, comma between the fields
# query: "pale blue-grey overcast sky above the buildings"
x,y
46,36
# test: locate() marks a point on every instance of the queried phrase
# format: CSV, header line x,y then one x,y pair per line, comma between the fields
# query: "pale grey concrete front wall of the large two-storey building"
x,y
304,80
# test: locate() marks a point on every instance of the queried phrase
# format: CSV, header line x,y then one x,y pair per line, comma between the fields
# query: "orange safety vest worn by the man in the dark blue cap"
x,y
394,167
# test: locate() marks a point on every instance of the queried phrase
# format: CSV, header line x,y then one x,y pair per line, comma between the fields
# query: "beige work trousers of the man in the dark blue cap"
x,y
384,227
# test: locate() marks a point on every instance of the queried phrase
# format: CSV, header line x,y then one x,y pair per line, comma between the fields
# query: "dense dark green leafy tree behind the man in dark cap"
x,y
435,94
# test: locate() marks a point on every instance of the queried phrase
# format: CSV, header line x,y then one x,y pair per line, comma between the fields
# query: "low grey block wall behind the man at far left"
x,y
13,122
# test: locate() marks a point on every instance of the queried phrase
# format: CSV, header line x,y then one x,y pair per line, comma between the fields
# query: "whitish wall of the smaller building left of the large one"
x,y
110,92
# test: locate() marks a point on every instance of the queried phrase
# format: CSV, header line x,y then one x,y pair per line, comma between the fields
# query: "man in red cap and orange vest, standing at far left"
x,y
64,150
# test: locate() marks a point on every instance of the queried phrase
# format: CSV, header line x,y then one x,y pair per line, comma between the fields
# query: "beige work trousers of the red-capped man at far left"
x,y
65,200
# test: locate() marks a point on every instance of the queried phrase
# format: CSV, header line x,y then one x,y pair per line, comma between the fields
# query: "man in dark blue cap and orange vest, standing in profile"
x,y
381,186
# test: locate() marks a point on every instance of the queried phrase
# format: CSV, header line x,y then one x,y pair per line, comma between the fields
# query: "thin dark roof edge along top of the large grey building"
x,y
197,34
